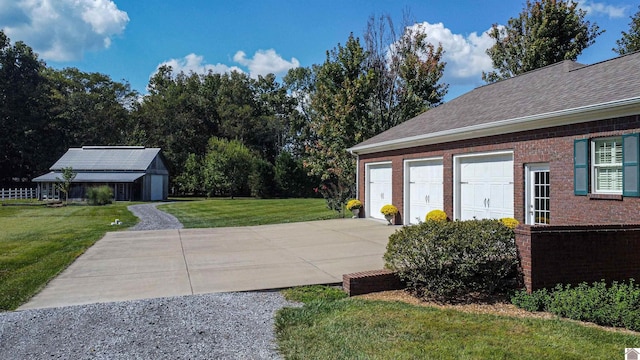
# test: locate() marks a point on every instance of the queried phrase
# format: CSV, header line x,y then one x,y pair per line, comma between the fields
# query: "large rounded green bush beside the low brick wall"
x,y
444,260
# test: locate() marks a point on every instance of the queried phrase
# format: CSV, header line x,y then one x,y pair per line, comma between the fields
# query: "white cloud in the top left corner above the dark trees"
x,y
62,30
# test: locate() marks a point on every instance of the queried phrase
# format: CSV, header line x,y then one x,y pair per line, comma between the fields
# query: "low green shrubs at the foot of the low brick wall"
x,y
616,304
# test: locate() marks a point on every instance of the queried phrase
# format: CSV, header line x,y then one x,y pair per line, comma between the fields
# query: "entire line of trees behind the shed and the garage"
x,y
234,135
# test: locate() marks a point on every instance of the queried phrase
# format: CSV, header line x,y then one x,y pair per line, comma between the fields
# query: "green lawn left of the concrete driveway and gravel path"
x,y
37,243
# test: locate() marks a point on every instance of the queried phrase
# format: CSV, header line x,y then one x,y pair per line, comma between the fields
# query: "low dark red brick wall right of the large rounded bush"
x,y
572,254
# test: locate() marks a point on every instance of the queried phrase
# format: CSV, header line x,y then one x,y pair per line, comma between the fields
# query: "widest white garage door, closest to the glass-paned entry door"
x,y
485,187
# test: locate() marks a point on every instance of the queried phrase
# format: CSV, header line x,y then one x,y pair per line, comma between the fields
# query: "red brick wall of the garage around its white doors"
x,y
550,145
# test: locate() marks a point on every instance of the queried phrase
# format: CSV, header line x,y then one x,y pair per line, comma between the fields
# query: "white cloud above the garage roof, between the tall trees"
x,y
465,55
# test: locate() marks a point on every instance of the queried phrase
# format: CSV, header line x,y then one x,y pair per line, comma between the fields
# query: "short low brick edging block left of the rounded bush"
x,y
371,281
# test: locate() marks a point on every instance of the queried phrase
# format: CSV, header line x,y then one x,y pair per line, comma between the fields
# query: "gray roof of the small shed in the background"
x,y
107,158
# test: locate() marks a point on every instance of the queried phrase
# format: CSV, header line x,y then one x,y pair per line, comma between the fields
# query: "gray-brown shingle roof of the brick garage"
x,y
562,86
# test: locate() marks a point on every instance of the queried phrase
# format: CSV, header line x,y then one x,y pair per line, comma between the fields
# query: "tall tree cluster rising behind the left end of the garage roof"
x,y
359,92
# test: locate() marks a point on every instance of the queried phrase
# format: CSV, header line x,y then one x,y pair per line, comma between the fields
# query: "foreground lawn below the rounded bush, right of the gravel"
x,y
370,329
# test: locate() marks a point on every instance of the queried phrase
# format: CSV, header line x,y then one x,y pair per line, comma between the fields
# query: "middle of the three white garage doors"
x,y
424,190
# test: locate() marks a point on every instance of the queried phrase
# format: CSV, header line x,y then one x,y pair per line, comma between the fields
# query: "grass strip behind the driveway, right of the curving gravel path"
x,y
247,212
